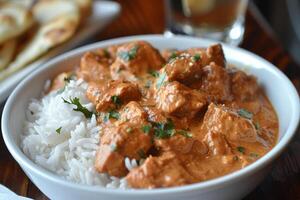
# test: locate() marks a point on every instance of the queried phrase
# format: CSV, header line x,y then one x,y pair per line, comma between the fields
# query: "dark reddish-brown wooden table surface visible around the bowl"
x,y
147,17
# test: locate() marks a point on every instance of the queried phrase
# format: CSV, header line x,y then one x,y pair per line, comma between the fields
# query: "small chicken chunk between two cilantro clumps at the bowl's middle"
x,y
134,113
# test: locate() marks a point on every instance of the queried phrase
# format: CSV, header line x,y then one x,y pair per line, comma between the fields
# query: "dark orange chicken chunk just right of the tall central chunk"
x,y
215,81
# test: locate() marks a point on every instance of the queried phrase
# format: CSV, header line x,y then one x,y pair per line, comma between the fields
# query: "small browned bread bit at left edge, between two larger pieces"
x,y
7,50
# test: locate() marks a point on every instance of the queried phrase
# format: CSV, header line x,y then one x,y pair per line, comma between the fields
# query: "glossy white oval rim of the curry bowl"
x,y
24,161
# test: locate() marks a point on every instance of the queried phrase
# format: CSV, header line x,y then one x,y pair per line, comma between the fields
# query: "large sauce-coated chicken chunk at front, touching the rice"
x,y
117,142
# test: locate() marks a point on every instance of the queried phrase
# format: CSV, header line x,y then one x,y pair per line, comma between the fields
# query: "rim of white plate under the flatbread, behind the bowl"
x,y
103,13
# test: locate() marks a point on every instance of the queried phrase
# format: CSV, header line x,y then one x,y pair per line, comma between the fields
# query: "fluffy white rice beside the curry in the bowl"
x,y
70,153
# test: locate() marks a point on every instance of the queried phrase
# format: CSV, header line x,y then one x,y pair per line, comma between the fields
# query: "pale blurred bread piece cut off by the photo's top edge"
x,y
47,10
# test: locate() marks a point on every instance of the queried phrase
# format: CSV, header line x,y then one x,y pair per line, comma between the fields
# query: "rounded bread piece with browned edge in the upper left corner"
x,y
15,19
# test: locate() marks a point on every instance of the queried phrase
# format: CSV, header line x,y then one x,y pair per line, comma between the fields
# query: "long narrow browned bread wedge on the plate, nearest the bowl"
x,y
48,36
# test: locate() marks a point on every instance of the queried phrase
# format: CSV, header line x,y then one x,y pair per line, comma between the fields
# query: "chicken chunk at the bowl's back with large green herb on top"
x,y
134,59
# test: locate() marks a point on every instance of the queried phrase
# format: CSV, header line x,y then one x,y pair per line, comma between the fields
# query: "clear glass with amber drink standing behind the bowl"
x,y
221,20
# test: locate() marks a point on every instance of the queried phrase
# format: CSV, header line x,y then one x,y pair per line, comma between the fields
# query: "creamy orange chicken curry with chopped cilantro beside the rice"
x,y
184,115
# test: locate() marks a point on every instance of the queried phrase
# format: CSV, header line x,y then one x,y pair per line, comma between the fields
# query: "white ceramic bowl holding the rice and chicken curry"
x,y
277,86
